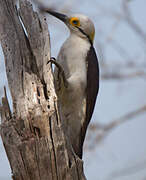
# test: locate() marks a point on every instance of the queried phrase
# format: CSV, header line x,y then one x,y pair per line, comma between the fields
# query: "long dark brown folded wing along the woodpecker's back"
x,y
91,92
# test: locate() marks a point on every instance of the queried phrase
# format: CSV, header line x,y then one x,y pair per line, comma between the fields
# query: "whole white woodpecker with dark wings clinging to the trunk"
x,y
77,77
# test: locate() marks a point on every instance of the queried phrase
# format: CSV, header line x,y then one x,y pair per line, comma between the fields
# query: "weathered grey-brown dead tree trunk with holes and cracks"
x,y
32,135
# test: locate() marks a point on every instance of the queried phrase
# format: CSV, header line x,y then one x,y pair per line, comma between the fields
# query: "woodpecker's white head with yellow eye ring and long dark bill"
x,y
79,24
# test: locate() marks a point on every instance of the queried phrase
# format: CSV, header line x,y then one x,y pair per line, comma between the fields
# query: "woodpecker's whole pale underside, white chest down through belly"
x,y
72,57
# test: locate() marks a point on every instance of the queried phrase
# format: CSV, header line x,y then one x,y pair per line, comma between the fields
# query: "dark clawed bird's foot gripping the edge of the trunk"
x,y
60,70
